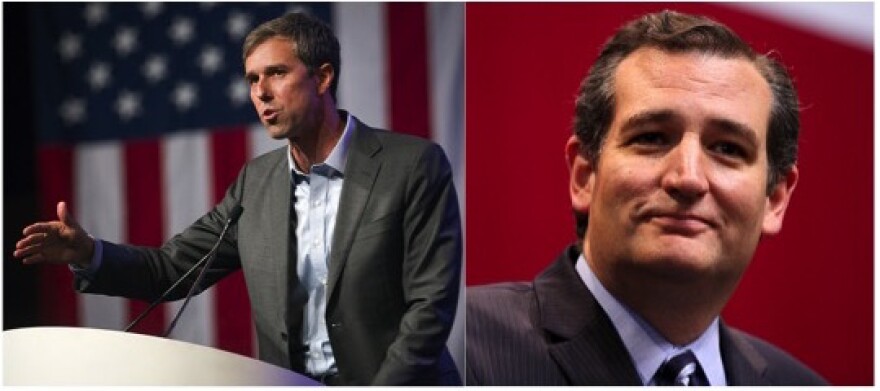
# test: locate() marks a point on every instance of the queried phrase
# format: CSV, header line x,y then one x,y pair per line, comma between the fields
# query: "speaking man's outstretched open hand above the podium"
x,y
59,242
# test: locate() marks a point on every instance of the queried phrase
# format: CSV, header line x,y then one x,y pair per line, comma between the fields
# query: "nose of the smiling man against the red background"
x,y
684,176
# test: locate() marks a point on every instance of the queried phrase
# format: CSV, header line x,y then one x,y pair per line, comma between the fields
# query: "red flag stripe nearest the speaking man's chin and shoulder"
x,y
229,152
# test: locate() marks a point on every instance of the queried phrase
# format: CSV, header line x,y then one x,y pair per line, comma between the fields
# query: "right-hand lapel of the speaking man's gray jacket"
x,y
361,169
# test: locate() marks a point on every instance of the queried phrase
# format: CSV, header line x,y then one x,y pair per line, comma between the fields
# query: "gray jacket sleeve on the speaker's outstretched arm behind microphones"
x,y
145,273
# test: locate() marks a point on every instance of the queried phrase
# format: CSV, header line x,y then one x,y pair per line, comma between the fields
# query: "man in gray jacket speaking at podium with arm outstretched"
x,y
376,305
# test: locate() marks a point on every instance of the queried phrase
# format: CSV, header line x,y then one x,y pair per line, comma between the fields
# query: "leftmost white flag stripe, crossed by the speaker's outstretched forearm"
x,y
98,191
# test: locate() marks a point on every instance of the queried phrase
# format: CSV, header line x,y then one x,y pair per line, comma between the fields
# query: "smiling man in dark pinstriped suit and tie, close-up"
x,y
683,158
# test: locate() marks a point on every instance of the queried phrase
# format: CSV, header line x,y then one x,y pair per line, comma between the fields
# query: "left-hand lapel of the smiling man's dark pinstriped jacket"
x,y
583,341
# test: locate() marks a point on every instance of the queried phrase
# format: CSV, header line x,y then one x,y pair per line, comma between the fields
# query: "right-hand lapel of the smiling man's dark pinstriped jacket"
x,y
743,365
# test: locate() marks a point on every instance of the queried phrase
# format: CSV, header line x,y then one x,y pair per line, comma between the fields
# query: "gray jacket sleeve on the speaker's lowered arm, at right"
x,y
431,271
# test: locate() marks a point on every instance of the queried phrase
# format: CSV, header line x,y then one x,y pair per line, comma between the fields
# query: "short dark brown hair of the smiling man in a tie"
x,y
675,32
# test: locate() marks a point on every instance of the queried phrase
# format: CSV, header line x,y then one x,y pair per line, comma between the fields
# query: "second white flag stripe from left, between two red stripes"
x,y
186,176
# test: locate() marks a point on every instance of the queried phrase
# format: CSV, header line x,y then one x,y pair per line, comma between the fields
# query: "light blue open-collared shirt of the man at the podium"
x,y
316,203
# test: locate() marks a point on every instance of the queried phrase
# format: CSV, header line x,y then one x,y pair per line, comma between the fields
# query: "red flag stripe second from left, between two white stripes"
x,y
144,211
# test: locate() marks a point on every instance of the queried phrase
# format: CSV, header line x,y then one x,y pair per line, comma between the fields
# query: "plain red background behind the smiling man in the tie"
x,y
808,290
